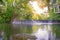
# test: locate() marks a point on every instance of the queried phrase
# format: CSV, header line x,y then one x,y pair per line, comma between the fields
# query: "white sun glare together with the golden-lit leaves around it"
x,y
39,8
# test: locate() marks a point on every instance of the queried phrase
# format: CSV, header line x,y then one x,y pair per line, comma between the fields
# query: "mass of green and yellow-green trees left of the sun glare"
x,y
10,8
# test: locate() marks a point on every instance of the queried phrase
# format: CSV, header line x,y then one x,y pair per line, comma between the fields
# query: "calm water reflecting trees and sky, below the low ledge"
x,y
29,31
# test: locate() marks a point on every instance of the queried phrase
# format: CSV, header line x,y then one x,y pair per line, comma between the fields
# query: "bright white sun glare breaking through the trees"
x,y
36,8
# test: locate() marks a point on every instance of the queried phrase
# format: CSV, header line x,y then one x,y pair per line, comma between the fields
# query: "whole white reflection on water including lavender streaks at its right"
x,y
44,33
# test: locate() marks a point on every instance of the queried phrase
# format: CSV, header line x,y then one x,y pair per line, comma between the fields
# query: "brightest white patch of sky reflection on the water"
x,y
41,34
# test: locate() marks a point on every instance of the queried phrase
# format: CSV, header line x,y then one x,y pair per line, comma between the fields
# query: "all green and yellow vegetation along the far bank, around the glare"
x,y
20,10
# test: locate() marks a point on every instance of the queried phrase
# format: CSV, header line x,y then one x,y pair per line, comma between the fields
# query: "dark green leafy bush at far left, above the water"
x,y
6,16
